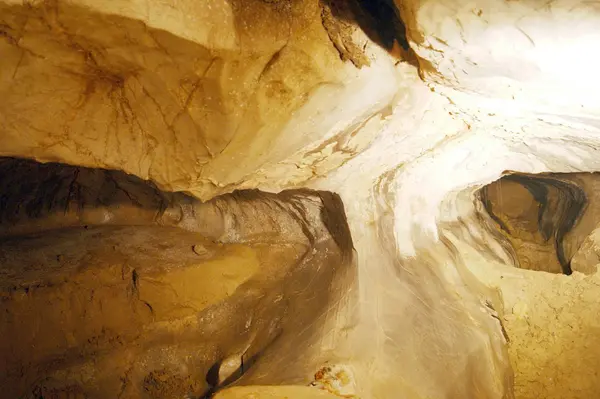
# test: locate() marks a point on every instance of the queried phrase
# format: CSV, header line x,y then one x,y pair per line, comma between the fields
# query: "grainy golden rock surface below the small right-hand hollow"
x,y
552,322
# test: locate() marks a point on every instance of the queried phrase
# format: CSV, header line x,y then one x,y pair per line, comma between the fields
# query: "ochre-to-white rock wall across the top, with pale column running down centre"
x,y
263,99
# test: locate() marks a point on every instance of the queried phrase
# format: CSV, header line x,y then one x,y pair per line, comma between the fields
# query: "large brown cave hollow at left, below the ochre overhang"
x,y
110,286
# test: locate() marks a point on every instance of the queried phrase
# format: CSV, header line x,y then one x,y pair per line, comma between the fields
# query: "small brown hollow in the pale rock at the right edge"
x,y
549,220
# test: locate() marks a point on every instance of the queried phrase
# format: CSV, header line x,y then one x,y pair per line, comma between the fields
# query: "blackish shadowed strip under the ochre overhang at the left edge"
x,y
32,190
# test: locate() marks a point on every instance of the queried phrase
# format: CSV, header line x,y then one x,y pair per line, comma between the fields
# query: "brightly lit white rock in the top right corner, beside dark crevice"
x,y
515,51
